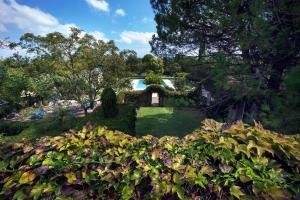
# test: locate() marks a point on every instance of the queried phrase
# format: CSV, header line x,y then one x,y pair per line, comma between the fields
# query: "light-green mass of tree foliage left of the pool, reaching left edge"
x,y
74,66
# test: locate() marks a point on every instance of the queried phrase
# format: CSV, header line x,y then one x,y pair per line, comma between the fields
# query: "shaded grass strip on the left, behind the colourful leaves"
x,y
52,126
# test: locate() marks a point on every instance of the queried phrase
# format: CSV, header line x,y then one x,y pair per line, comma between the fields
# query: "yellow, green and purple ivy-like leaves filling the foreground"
x,y
219,161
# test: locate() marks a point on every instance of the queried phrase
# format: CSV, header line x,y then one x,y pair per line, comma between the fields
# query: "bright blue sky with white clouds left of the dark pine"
x,y
128,22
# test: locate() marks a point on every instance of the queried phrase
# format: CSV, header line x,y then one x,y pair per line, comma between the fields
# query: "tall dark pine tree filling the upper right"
x,y
258,40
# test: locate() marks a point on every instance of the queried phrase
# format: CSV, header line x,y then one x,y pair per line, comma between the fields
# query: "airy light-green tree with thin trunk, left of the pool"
x,y
82,65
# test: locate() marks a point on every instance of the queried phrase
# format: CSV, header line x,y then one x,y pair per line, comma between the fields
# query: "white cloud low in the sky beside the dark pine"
x,y
132,36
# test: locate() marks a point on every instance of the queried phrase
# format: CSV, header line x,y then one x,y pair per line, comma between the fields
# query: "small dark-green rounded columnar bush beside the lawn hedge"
x,y
109,103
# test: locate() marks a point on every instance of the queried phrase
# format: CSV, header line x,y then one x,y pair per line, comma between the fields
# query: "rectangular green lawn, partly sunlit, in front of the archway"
x,y
161,121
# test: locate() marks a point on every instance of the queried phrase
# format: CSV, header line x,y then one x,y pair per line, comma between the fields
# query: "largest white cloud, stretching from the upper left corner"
x,y
29,19
